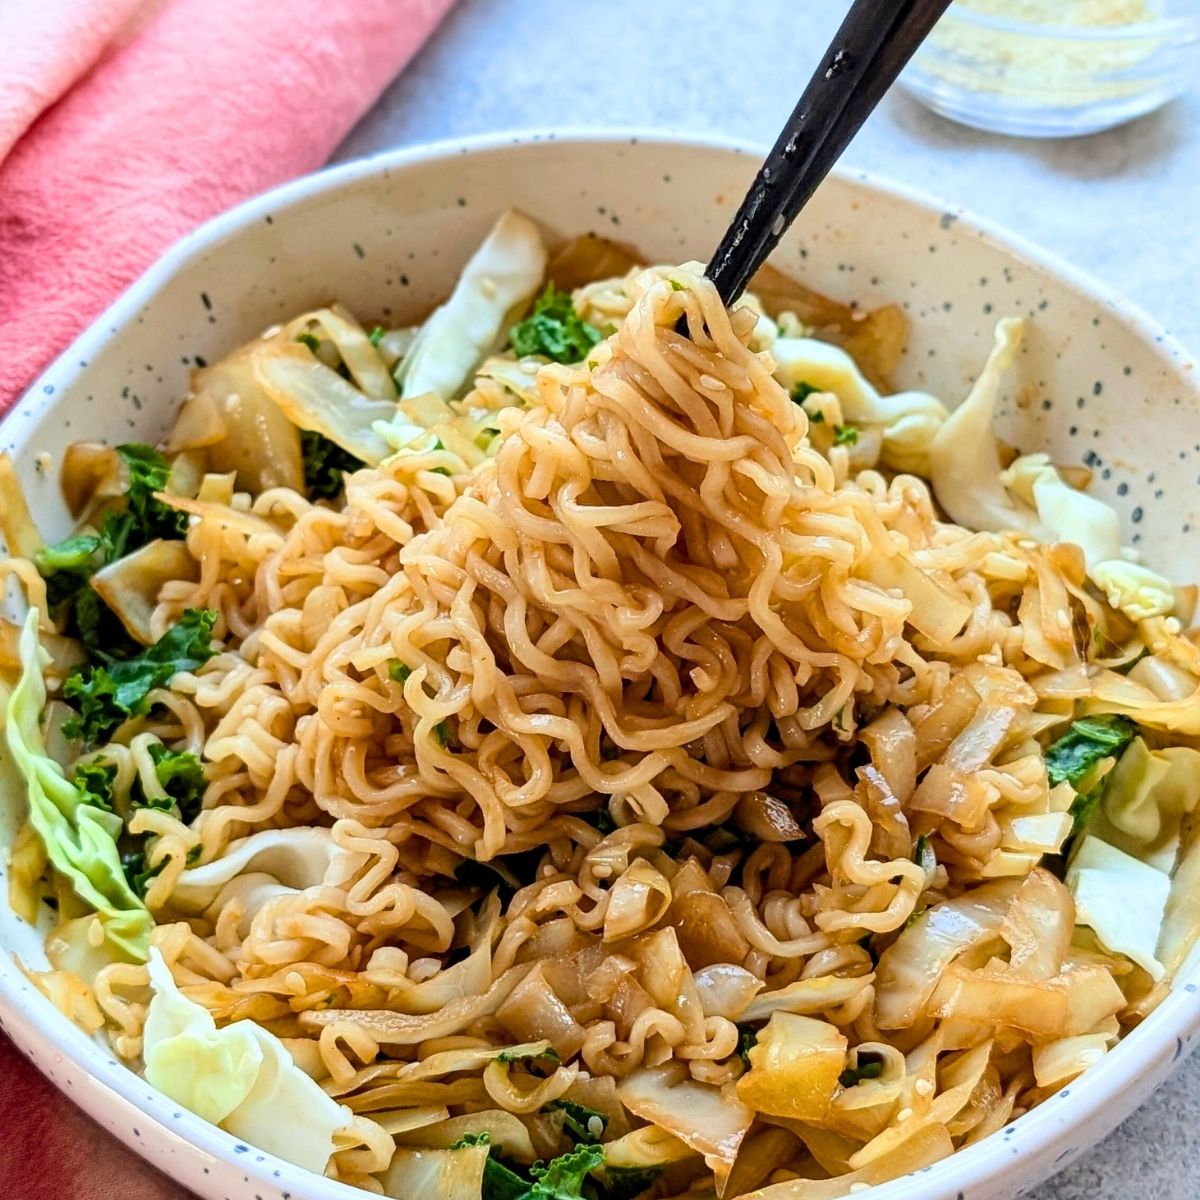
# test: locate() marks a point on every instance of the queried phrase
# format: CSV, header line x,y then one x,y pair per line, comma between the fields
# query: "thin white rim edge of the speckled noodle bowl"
x,y
40,1024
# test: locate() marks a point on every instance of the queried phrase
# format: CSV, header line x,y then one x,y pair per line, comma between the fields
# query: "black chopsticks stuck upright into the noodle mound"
x,y
872,47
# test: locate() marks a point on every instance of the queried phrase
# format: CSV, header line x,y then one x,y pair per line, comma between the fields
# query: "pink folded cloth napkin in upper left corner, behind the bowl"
x,y
129,136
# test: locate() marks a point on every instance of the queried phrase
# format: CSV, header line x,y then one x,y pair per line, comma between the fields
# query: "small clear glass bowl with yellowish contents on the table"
x,y
1042,81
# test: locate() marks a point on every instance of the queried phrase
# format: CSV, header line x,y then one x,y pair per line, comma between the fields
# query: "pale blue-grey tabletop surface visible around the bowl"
x,y
1121,206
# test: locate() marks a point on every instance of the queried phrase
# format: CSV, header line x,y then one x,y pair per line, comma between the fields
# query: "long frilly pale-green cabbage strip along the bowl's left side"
x,y
80,839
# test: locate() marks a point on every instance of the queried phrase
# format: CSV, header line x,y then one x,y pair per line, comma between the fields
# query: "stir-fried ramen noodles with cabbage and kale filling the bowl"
x,y
597,745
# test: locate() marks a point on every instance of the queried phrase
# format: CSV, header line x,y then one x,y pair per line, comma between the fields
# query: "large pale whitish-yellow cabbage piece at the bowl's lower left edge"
x,y
241,1077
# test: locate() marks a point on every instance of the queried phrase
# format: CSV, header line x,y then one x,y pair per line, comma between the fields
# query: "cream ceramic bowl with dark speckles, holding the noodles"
x,y
1100,385
